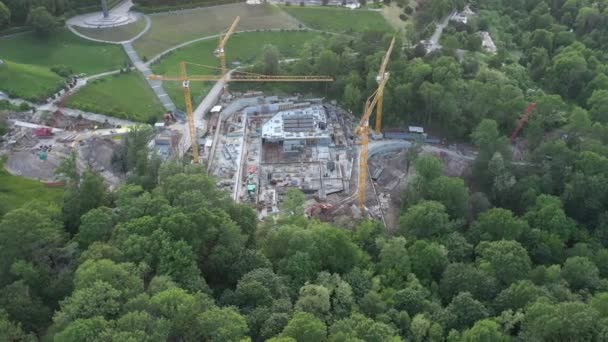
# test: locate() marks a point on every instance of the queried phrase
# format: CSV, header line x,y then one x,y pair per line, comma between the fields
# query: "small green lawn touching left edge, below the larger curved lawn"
x,y
29,82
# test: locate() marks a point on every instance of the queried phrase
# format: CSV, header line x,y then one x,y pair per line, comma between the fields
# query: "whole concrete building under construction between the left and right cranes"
x,y
279,143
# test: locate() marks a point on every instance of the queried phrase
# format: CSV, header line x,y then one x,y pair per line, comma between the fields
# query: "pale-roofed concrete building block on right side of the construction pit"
x,y
303,148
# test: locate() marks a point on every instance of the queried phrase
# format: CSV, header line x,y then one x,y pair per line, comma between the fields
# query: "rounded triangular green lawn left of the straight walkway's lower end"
x,y
125,96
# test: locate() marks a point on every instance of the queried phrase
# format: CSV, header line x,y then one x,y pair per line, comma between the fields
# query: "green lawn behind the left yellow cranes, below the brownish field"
x,y
243,47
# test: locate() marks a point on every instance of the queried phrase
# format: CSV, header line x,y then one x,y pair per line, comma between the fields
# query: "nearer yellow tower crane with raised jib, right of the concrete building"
x,y
363,128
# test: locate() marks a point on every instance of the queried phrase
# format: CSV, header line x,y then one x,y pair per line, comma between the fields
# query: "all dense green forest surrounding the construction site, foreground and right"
x,y
516,251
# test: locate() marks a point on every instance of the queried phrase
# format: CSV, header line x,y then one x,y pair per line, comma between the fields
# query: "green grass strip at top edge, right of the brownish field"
x,y
338,20
